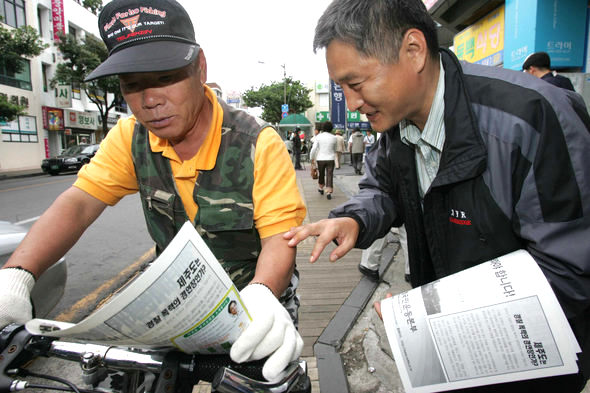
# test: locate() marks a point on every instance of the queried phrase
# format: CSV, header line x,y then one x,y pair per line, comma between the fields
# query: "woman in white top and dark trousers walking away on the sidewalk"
x,y
323,153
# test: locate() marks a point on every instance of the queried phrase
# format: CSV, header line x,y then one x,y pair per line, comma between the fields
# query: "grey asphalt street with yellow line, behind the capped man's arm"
x,y
117,240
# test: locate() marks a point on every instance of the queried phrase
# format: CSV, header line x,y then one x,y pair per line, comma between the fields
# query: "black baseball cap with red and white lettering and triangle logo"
x,y
145,36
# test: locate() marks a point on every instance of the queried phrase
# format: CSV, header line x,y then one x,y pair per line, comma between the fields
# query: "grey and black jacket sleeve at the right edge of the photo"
x,y
553,209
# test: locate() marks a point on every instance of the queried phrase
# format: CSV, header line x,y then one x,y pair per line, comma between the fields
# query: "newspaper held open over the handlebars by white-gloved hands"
x,y
184,299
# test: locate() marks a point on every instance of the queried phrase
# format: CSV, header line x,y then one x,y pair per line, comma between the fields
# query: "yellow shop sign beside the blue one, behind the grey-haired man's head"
x,y
482,42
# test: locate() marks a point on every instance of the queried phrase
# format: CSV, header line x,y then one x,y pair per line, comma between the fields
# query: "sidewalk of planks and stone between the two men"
x,y
342,339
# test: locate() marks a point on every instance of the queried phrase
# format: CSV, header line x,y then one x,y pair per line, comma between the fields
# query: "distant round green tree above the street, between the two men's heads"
x,y
271,97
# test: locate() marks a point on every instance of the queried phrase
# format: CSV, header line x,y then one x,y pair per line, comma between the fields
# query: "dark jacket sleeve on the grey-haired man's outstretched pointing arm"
x,y
373,207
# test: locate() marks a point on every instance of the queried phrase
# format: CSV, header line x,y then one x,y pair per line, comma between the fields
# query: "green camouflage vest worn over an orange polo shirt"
x,y
225,216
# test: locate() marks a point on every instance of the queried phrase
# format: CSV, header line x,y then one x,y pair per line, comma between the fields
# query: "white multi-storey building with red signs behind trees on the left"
x,y
56,117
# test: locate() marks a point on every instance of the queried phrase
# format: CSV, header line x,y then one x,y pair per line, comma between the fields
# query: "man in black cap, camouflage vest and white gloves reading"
x,y
190,157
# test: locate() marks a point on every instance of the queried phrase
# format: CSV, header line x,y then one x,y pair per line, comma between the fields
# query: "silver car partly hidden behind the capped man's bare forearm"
x,y
49,288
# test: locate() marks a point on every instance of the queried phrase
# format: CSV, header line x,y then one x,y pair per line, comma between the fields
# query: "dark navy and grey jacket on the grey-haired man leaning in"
x,y
514,173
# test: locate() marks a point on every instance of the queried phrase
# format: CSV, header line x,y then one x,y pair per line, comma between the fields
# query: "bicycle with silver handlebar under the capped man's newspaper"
x,y
117,369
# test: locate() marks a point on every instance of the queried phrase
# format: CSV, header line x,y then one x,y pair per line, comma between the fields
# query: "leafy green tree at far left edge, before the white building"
x,y
14,45
